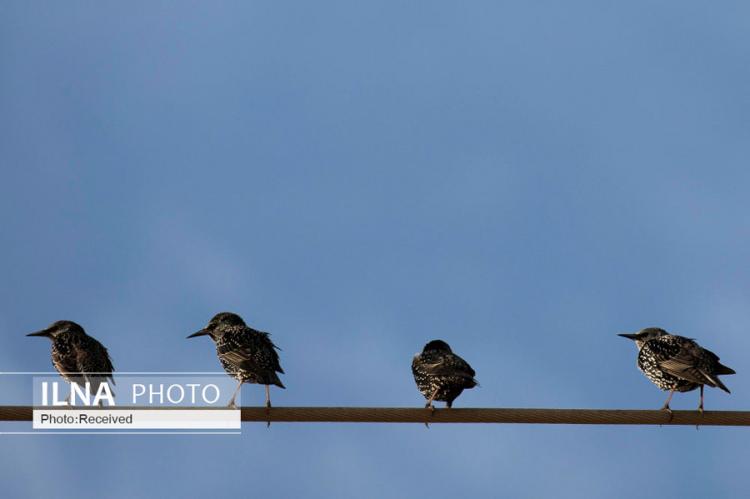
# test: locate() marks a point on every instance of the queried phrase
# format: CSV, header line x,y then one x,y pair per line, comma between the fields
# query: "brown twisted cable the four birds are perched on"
x,y
420,415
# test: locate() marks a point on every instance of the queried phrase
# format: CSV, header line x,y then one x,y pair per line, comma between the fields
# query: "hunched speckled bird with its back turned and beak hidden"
x,y
440,374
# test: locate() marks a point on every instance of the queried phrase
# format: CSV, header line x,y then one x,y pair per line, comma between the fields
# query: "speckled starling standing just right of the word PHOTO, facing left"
x,y
248,355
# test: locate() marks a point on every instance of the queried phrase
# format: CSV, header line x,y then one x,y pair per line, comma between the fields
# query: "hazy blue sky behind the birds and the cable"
x,y
523,180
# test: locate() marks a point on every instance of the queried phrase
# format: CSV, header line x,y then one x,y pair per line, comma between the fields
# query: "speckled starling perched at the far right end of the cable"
x,y
676,363
